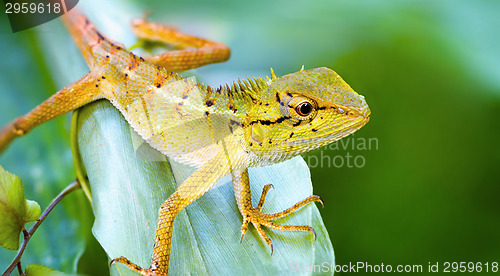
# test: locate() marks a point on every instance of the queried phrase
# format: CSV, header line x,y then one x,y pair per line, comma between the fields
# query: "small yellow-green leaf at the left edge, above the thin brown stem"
x,y
15,210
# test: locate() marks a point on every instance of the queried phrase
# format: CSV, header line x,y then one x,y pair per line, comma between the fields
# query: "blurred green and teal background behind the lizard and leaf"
x,y
430,71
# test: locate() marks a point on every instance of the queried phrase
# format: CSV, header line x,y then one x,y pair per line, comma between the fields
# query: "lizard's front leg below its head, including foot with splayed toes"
x,y
255,216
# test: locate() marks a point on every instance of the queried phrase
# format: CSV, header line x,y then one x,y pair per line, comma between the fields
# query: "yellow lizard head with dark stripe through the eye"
x,y
303,111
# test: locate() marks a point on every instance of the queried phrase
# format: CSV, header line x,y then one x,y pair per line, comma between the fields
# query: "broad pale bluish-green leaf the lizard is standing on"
x,y
127,192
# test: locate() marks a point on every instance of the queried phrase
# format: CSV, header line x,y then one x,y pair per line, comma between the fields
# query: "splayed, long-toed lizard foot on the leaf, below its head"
x,y
258,219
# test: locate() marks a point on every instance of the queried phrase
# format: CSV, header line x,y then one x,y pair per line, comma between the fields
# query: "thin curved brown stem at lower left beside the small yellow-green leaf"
x,y
28,234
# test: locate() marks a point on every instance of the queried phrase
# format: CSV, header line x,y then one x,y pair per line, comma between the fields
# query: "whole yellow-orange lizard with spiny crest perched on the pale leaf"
x,y
220,131
